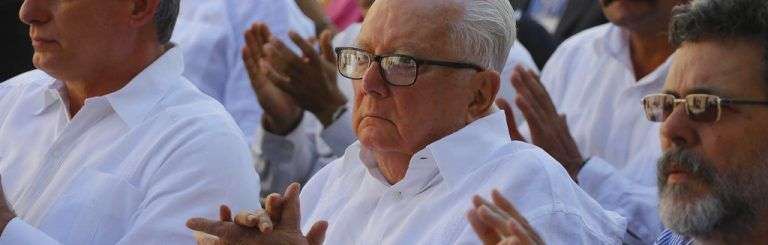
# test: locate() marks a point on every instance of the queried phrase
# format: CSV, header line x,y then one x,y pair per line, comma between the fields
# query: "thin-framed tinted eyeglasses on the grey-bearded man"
x,y
698,107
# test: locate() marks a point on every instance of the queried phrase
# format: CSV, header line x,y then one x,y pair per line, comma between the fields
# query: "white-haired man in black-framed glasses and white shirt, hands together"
x,y
425,79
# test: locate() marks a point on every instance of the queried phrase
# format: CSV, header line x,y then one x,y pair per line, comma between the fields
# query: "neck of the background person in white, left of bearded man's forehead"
x,y
648,50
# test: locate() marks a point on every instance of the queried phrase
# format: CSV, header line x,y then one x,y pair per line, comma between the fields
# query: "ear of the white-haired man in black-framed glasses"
x,y
486,88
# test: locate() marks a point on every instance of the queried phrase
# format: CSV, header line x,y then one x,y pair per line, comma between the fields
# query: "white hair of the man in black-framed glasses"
x,y
486,33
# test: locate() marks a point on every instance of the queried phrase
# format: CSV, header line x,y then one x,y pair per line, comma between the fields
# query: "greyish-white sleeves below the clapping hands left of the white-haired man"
x,y
295,157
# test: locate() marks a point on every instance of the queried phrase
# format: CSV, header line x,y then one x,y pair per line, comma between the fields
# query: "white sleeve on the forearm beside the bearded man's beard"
x,y
615,192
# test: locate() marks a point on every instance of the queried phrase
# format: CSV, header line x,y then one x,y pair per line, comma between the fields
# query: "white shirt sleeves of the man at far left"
x,y
205,172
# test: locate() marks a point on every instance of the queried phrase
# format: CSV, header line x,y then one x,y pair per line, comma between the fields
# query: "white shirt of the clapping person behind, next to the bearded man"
x,y
591,80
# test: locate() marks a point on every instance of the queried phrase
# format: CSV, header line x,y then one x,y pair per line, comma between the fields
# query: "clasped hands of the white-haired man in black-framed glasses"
x,y
280,224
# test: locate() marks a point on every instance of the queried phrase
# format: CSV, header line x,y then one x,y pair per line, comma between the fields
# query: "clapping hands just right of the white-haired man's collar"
x,y
549,130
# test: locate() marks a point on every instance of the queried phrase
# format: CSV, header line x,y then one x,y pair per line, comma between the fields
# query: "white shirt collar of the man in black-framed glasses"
x,y
451,158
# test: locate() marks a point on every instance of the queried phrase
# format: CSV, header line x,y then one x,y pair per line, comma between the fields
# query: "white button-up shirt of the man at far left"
x,y
129,168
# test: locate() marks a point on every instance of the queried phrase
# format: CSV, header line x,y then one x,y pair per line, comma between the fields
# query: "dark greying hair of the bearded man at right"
x,y
721,20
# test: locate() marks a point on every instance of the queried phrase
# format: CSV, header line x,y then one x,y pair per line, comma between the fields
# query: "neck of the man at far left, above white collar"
x,y
109,78
